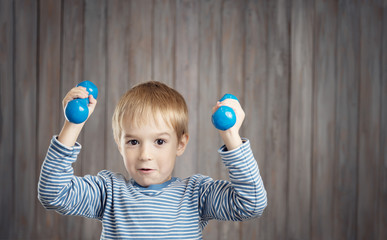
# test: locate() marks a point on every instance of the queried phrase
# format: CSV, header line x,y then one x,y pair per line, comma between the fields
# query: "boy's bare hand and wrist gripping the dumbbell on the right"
x,y
231,136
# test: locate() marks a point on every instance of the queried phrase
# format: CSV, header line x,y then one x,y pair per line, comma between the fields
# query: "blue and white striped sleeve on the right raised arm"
x,y
241,198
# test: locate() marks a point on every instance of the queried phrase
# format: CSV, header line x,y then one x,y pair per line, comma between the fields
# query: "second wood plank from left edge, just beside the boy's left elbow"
x,y
25,69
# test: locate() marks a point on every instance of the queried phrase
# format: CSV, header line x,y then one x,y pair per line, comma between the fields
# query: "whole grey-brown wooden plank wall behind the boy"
x,y
311,76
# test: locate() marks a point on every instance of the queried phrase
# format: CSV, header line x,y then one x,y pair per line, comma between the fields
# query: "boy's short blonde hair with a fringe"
x,y
148,100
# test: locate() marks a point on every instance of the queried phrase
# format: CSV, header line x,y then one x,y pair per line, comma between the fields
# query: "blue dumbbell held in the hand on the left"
x,y
76,110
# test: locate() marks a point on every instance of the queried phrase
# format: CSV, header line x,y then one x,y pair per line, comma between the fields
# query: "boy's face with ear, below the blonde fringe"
x,y
149,152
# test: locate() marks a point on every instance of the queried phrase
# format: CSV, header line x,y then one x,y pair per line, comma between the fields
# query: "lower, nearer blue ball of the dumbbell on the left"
x,y
77,111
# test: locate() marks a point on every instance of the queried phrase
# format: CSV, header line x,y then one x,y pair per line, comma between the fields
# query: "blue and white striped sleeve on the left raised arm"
x,y
60,190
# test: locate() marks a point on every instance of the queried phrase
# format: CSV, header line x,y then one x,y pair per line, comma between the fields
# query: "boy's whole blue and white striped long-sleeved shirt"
x,y
177,209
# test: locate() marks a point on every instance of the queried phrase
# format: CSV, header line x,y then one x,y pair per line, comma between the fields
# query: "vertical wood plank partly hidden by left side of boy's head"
x,y
118,24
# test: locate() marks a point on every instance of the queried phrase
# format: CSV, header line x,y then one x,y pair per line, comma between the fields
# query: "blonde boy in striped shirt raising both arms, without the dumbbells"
x,y
150,126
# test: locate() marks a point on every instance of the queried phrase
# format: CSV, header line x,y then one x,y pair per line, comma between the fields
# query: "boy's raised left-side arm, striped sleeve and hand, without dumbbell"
x,y
58,188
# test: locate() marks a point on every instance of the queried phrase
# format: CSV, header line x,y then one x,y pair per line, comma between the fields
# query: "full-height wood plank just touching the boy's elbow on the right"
x,y
277,126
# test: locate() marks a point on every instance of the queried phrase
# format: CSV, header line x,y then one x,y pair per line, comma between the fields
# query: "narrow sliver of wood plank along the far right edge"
x,y
382,221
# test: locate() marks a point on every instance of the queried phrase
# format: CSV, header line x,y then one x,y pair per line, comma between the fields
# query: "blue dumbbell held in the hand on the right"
x,y
224,118
